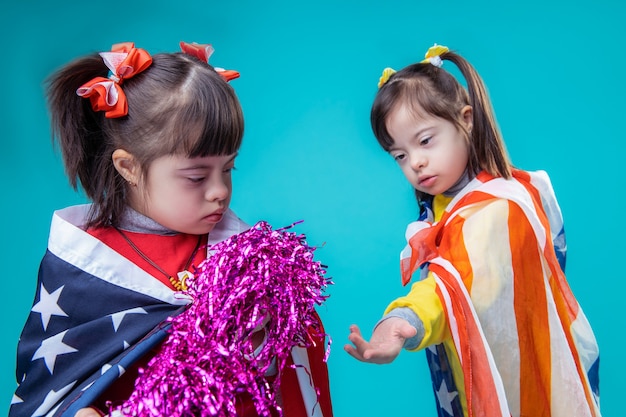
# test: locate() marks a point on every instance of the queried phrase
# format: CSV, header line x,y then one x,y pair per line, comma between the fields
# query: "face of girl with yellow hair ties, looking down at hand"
x,y
431,152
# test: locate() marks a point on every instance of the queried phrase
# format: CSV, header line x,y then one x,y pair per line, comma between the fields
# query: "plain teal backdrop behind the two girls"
x,y
308,76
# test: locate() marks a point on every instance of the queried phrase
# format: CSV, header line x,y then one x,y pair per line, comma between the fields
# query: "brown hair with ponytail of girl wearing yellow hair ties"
x,y
437,92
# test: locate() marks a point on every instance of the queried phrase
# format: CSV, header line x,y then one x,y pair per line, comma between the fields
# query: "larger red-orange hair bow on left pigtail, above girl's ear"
x,y
105,94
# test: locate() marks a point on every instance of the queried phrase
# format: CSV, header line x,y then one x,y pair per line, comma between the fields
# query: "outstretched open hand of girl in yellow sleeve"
x,y
385,344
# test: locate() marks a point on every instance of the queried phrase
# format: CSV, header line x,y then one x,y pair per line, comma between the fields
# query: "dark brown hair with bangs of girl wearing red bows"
x,y
178,105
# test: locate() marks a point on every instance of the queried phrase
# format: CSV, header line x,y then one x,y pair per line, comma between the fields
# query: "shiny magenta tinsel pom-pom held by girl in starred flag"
x,y
207,359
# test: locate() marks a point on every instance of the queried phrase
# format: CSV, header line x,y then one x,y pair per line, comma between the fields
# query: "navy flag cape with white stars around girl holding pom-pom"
x,y
96,313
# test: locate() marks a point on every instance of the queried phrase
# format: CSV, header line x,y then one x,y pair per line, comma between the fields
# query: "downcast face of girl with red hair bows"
x,y
186,195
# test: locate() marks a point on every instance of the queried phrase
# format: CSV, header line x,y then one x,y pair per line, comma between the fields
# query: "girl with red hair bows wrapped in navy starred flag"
x,y
153,147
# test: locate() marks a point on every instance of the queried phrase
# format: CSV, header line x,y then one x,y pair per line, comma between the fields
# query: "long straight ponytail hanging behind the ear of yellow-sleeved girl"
x,y
488,150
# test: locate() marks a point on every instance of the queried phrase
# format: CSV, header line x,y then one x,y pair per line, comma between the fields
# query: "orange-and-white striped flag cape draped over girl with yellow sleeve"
x,y
524,344
